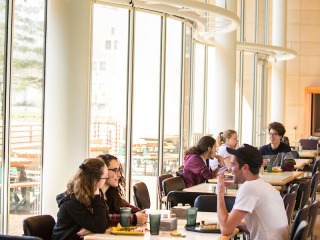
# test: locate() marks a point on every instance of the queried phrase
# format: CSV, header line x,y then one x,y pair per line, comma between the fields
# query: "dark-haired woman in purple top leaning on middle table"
x,y
195,169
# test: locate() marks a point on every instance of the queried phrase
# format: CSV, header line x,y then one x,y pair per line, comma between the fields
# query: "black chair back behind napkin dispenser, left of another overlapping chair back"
x,y
175,197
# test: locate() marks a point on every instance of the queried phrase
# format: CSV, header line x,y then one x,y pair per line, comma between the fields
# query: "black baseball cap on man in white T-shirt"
x,y
249,154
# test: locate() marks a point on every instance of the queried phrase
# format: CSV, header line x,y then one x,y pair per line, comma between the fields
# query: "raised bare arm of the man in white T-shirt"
x,y
228,221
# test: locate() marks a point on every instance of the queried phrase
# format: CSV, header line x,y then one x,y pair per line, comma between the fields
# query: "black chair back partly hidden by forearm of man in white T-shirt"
x,y
208,203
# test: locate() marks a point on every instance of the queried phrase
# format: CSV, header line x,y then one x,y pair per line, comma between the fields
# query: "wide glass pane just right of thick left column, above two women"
x,y
109,81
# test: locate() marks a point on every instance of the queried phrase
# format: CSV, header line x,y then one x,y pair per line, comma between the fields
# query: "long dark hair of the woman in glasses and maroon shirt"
x,y
114,195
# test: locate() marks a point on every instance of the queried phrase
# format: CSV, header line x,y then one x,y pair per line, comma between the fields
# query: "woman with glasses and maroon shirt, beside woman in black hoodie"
x,y
114,189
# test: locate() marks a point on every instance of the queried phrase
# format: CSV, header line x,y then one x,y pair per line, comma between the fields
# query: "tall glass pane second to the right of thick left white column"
x,y
146,101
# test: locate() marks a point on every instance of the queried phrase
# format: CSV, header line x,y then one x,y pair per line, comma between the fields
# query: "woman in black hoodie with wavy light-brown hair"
x,y
81,205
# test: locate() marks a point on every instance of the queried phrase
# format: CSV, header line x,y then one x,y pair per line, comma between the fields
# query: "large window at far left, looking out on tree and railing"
x,y
22,135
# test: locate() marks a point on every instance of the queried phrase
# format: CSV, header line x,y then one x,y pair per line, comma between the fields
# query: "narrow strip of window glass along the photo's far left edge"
x,y
2,77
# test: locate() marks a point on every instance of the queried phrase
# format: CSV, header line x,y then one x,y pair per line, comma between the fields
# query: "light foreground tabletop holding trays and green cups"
x,y
166,235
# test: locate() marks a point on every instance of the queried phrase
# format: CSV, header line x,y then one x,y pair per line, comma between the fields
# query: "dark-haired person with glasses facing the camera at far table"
x,y
277,151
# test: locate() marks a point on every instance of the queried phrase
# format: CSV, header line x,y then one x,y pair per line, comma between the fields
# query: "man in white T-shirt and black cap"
x,y
257,202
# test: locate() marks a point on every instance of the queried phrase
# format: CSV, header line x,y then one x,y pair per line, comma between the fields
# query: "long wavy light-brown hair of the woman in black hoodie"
x,y
82,186
